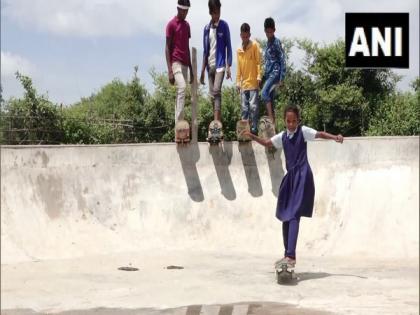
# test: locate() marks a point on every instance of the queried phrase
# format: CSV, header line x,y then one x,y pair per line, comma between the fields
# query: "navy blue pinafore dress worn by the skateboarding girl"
x,y
297,189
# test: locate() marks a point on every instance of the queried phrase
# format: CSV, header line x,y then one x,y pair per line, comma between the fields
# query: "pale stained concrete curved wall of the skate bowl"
x,y
61,202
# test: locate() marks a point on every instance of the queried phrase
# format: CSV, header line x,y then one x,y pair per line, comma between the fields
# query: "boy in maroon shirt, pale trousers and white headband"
x,y
178,57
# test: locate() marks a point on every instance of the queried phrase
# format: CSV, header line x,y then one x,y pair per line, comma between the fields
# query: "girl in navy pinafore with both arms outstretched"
x,y
297,189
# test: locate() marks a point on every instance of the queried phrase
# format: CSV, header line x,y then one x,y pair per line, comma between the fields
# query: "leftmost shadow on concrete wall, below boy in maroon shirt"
x,y
189,156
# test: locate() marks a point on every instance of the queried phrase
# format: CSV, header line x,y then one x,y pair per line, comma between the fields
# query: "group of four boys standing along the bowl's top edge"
x,y
217,60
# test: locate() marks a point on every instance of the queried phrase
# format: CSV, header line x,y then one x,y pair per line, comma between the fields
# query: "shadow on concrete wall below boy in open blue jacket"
x,y
222,156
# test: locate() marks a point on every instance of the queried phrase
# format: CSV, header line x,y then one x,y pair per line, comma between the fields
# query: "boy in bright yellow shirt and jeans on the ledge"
x,y
248,76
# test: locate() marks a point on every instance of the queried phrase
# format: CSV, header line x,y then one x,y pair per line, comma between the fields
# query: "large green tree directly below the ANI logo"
x,y
341,100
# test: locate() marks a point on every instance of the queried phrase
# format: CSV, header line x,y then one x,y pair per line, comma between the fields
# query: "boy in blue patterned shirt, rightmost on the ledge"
x,y
274,67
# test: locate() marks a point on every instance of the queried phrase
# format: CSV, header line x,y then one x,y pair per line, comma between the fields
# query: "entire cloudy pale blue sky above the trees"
x,y
71,48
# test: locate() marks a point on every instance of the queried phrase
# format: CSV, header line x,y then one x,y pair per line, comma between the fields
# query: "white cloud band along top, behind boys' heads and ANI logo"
x,y
322,20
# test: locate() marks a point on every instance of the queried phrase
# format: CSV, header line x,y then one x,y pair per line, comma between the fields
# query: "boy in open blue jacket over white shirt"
x,y
217,56
